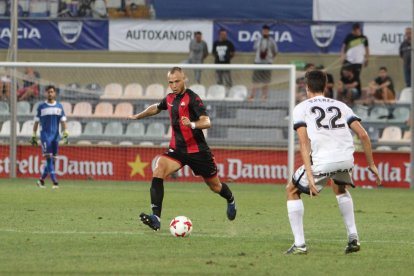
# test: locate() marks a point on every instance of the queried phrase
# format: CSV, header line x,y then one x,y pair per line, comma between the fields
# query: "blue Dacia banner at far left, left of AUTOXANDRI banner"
x,y
57,34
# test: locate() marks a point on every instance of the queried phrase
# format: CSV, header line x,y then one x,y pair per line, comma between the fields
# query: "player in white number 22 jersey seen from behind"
x,y
323,127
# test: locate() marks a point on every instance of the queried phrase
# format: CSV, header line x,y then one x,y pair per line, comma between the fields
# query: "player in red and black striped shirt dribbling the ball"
x,y
188,117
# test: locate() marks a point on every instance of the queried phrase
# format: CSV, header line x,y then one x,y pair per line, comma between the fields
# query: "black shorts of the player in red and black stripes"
x,y
202,163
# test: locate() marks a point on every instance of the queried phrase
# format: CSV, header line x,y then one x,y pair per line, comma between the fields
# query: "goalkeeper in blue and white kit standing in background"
x,y
49,114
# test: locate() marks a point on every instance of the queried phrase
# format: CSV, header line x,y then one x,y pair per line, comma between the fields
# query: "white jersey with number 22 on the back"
x,y
327,123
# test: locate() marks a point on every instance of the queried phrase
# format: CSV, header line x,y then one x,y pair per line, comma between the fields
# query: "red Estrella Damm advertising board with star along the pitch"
x,y
238,166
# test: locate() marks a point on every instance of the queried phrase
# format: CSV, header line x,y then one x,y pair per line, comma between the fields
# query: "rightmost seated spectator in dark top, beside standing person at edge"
x,y
381,89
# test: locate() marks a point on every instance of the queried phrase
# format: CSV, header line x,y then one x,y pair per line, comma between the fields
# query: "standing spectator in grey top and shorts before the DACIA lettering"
x,y
266,51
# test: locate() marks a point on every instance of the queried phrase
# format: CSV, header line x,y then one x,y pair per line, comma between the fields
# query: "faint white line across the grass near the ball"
x,y
74,232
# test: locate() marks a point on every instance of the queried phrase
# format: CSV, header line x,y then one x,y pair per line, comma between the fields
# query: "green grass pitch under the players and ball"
x,y
92,228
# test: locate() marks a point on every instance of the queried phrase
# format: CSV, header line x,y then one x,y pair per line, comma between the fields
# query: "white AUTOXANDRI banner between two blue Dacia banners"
x,y
172,36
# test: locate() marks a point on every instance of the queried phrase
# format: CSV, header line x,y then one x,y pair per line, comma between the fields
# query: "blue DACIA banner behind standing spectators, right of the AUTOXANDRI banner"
x,y
298,37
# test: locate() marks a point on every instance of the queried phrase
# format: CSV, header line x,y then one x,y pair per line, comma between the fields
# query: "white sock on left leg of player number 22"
x,y
295,213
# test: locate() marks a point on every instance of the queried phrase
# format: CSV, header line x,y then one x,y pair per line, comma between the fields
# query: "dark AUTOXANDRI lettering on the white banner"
x,y
159,35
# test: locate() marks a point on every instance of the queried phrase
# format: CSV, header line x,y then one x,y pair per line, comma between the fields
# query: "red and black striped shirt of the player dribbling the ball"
x,y
188,104
